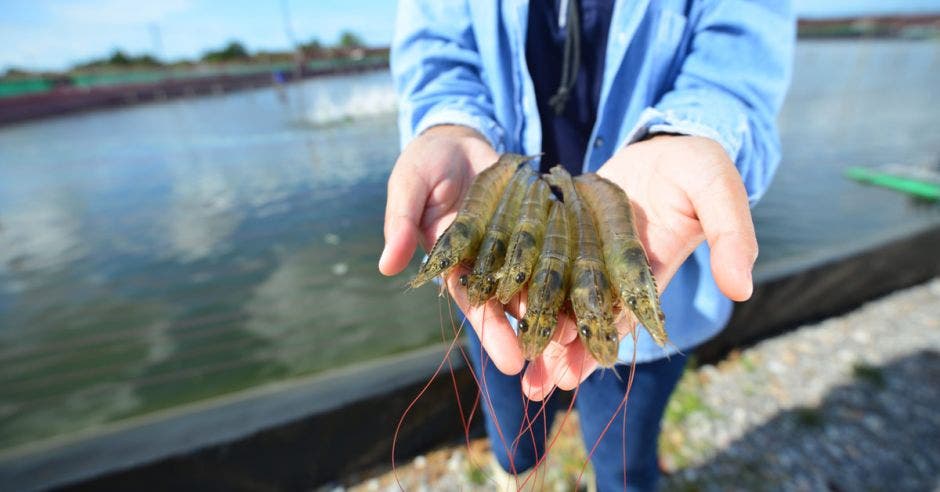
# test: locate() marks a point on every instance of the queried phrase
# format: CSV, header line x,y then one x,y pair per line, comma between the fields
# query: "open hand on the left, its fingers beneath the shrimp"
x,y
425,191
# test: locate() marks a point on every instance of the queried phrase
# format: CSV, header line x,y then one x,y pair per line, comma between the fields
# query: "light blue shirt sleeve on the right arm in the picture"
x,y
731,85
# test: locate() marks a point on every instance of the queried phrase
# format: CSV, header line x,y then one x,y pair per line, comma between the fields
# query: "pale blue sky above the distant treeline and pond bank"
x,y
54,34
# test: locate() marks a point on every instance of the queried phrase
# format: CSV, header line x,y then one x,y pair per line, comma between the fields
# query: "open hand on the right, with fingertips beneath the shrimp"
x,y
683,190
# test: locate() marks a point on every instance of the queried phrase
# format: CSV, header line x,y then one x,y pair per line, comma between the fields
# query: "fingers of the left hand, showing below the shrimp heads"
x,y
492,327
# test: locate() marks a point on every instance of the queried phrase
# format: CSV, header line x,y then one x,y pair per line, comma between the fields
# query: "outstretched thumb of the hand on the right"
x,y
726,221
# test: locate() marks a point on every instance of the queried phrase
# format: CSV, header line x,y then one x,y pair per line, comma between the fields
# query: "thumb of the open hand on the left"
x,y
407,195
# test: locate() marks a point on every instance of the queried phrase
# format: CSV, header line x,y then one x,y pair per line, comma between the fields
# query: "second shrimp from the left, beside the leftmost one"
x,y
481,283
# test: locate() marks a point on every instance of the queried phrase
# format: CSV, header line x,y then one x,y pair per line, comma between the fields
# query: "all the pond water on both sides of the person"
x,y
167,253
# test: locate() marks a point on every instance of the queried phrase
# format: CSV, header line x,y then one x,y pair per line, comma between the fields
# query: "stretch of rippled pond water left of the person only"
x,y
166,253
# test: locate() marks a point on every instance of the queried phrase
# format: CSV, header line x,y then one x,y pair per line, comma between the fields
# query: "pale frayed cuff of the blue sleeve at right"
x,y
653,120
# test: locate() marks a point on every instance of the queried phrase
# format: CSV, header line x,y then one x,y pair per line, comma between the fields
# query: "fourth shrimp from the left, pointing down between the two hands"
x,y
549,285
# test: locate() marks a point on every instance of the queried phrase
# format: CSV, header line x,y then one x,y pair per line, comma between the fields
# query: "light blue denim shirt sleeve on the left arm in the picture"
x,y
436,69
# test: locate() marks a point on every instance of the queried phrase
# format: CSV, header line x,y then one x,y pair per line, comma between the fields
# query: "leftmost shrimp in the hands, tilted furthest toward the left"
x,y
461,239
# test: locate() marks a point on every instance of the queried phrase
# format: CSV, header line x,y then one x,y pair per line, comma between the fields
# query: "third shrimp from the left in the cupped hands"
x,y
525,242
